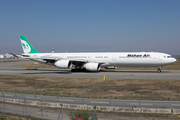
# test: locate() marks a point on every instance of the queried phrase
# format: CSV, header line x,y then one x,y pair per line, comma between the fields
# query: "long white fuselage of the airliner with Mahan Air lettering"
x,y
111,58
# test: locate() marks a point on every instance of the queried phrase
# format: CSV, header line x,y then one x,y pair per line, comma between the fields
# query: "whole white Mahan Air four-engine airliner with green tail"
x,y
94,61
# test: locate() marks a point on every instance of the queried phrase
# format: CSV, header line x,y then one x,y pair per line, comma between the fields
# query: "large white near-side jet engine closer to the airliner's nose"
x,y
92,66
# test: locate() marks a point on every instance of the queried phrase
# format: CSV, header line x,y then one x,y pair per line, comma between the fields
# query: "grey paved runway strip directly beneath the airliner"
x,y
10,68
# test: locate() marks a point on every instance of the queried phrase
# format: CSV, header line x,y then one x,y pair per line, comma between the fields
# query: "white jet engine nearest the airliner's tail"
x,y
64,64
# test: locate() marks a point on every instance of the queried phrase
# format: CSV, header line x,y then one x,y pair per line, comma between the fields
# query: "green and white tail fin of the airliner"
x,y
27,47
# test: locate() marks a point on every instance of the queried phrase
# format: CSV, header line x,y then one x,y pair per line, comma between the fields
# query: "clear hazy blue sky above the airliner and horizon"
x,y
88,25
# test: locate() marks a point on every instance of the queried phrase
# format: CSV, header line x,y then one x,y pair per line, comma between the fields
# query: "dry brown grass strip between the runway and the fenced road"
x,y
93,88
